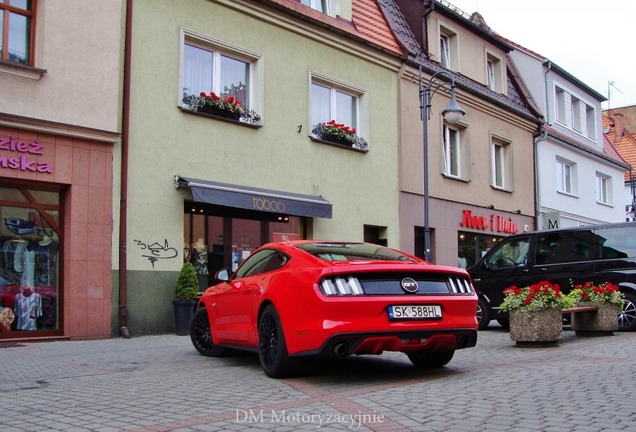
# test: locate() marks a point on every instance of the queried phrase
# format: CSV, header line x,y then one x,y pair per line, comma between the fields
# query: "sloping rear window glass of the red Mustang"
x,y
353,252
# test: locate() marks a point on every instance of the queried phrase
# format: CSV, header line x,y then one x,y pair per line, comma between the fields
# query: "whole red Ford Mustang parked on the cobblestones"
x,y
296,299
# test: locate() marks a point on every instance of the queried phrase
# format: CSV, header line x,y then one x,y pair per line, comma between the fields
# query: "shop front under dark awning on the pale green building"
x,y
224,223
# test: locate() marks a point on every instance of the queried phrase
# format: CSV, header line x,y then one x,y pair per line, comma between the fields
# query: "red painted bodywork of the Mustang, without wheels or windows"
x,y
310,318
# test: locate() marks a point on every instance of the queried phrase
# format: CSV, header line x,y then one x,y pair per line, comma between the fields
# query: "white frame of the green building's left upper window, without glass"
x,y
219,48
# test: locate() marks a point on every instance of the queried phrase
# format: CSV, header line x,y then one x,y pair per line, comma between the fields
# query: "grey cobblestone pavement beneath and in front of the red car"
x,y
160,383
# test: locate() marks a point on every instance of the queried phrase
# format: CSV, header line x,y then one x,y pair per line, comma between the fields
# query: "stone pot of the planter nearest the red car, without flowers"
x,y
542,326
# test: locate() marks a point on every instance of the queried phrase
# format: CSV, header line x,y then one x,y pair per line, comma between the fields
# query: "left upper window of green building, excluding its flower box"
x,y
210,65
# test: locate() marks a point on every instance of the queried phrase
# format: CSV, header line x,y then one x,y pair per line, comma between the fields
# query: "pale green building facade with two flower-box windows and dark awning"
x,y
210,183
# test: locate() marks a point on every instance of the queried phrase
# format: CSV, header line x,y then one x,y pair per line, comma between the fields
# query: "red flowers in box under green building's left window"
x,y
228,107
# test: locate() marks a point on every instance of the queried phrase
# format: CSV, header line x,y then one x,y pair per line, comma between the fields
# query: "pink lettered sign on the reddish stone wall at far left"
x,y
20,155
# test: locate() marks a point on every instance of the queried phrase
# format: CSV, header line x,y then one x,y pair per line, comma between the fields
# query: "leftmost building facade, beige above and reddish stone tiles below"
x,y
59,134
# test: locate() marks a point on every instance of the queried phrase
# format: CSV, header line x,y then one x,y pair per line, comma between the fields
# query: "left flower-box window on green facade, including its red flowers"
x,y
219,79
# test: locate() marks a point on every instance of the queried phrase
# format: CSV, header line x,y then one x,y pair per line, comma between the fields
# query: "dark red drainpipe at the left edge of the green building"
x,y
123,203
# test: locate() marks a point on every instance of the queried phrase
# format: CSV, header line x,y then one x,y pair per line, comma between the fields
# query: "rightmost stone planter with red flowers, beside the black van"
x,y
607,298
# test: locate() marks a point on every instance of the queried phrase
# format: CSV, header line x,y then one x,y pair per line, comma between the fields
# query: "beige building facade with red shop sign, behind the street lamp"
x,y
480,181
